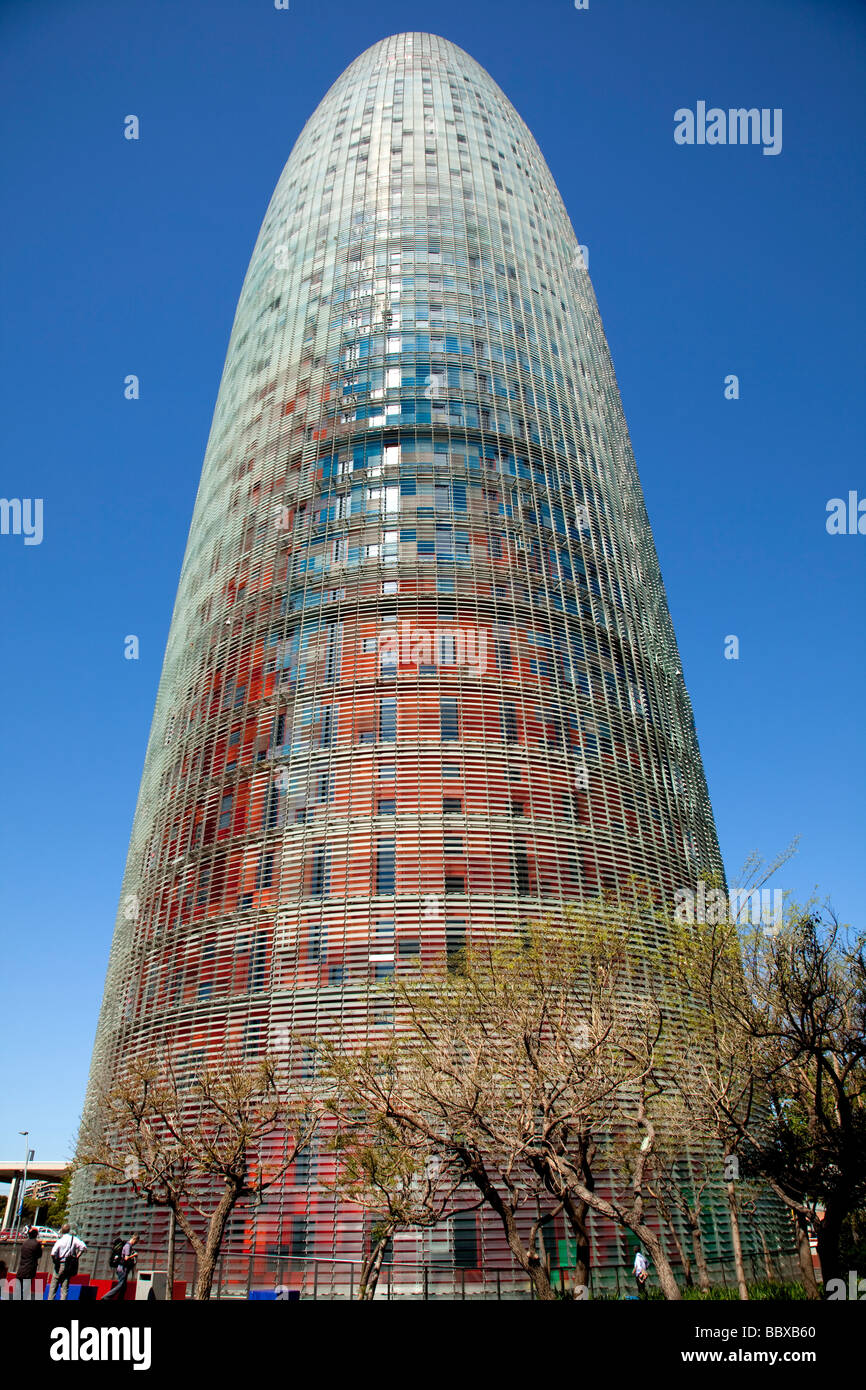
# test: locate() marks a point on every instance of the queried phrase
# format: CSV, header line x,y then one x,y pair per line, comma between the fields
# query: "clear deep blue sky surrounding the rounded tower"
x,y
129,258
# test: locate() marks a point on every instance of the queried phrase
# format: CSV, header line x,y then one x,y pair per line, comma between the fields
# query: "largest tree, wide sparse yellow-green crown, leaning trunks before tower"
x,y
515,1070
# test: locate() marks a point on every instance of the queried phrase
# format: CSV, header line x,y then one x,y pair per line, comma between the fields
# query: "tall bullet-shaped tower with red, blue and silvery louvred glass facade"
x,y
422,680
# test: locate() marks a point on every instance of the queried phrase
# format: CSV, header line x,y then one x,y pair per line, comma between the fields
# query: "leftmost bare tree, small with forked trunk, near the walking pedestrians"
x,y
197,1145
